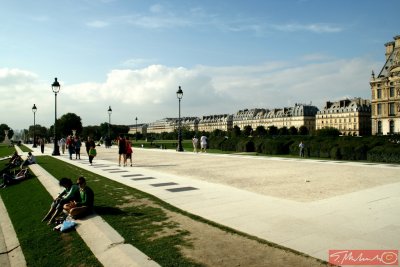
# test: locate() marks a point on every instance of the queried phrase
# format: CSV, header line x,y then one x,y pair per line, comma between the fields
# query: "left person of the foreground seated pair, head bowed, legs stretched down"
x,y
70,193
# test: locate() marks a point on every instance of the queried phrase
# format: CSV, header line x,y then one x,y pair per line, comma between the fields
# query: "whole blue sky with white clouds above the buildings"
x,y
226,55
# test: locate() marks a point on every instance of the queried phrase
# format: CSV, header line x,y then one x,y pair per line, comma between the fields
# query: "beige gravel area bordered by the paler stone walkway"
x,y
295,179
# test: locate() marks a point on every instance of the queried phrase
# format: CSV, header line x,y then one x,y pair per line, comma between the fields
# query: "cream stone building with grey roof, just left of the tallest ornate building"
x,y
350,117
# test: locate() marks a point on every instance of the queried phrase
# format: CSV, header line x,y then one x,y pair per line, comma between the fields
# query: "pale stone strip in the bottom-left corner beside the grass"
x,y
12,248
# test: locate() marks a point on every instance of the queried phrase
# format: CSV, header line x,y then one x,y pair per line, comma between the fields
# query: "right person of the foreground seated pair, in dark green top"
x,y
79,209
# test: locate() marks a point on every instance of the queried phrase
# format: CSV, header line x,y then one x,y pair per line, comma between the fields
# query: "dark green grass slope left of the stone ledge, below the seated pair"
x,y
26,203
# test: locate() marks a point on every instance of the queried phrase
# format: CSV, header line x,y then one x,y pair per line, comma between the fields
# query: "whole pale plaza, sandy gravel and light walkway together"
x,y
311,206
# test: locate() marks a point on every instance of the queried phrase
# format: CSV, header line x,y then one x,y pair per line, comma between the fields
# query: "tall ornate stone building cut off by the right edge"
x,y
385,92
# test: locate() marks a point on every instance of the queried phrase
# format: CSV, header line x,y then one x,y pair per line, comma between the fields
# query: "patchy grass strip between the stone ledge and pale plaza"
x,y
139,217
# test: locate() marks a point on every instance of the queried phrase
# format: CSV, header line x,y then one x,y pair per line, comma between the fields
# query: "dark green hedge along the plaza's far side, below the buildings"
x,y
373,148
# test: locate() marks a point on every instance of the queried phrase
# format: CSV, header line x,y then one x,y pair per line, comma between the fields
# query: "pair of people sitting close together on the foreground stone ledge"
x,y
76,200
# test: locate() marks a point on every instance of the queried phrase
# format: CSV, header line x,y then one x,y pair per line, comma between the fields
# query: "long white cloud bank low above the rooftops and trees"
x,y
150,93
